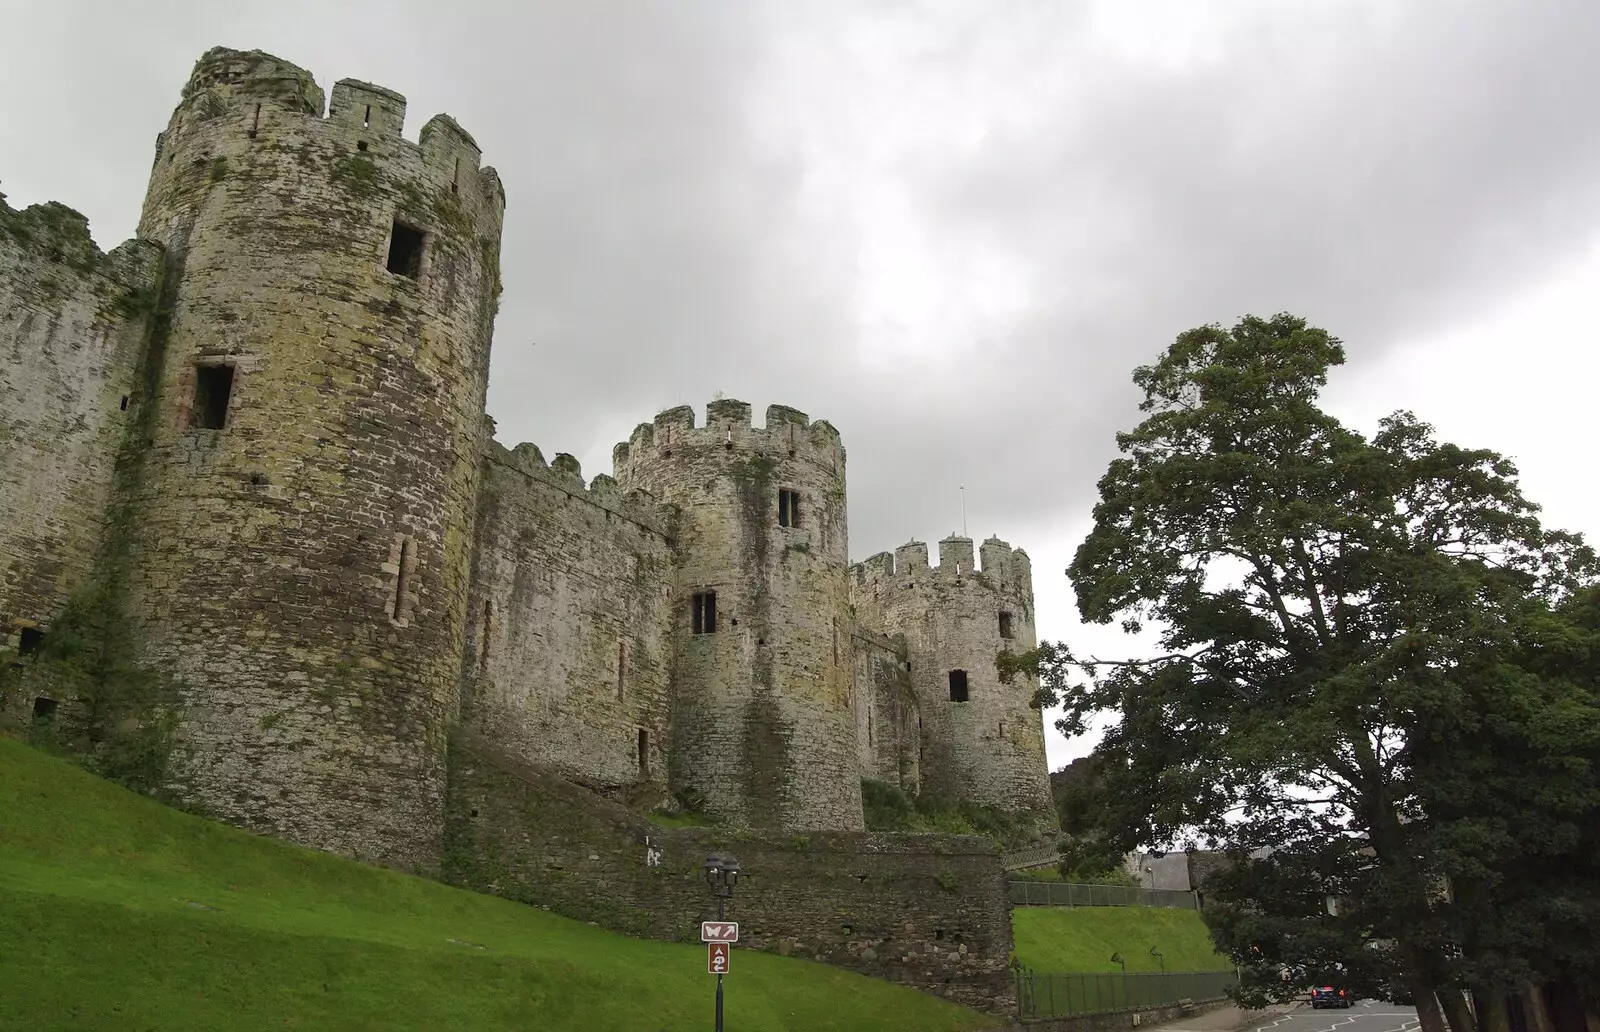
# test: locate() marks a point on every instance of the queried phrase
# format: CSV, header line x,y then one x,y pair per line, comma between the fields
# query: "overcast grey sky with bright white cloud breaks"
x,y
951,230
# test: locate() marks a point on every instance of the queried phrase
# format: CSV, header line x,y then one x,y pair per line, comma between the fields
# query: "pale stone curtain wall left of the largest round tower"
x,y
73,330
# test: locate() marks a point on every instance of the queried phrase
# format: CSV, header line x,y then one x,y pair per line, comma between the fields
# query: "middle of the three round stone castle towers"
x,y
762,722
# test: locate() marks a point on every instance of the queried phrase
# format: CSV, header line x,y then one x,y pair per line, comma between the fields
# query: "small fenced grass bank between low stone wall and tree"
x,y
1084,940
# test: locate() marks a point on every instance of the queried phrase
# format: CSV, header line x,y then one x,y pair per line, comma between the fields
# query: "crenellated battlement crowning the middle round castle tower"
x,y
788,433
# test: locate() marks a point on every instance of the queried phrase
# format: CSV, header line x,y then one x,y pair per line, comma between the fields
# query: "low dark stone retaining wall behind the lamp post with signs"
x,y
922,910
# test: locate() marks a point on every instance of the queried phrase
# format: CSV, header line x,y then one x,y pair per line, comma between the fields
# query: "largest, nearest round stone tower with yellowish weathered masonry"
x,y
313,420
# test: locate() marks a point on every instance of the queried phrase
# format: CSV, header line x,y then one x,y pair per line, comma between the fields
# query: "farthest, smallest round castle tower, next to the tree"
x,y
982,742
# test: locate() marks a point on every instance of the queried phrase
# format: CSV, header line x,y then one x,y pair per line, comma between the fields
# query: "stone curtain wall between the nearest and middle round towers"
x,y
569,652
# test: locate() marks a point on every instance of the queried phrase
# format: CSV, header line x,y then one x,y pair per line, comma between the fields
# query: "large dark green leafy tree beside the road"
x,y
1340,618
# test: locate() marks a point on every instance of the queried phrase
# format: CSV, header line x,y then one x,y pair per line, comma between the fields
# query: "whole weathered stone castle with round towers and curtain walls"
x,y
260,548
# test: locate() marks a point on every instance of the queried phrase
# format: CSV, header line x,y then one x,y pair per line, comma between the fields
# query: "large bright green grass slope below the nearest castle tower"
x,y
118,913
